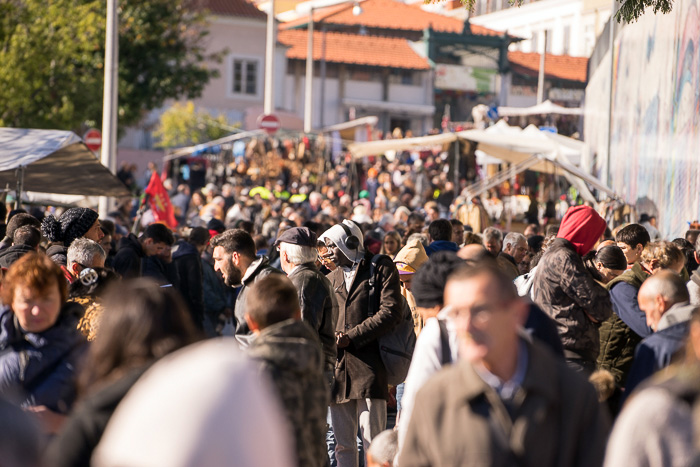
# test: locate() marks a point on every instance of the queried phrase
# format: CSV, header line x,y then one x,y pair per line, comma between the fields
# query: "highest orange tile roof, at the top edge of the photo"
x,y
391,14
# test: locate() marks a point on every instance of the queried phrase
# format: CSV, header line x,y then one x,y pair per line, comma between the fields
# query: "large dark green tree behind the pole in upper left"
x,y
52,60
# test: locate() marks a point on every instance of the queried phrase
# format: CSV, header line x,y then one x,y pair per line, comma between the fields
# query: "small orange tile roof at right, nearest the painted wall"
x,y
555,66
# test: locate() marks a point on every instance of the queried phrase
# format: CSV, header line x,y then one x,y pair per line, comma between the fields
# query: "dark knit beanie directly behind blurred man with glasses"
x,y
428,285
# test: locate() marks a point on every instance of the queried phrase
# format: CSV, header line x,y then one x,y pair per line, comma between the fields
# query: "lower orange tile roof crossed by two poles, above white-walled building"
x,y
356,49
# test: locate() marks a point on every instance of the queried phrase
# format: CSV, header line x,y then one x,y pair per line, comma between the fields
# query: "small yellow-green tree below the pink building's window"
x,y
184,125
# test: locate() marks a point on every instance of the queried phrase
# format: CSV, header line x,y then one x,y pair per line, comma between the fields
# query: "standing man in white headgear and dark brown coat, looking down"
x,y
360,390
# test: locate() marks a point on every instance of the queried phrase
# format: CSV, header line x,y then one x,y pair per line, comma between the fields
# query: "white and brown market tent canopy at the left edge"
x,y
53,161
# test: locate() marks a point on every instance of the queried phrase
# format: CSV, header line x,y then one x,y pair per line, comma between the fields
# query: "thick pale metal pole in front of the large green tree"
x,y
109,106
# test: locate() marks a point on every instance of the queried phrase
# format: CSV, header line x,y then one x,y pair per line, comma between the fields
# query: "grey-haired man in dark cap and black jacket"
x,y
319,308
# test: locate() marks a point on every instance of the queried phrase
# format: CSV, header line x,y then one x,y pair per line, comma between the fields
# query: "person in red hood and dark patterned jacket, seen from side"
x,y
565,290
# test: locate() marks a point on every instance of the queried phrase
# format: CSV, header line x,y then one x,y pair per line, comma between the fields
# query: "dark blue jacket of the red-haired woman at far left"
x,y
40,368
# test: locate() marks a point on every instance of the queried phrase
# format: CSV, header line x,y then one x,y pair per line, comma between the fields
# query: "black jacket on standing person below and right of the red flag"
x,y
188,264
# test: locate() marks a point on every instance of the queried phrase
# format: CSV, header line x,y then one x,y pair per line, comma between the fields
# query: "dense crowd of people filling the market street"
x,y
263,330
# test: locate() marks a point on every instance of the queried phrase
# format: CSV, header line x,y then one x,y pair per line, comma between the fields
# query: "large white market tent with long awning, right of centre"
x,y
528,149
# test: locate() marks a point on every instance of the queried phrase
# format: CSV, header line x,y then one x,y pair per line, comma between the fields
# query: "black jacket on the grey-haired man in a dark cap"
x,y
319,307
